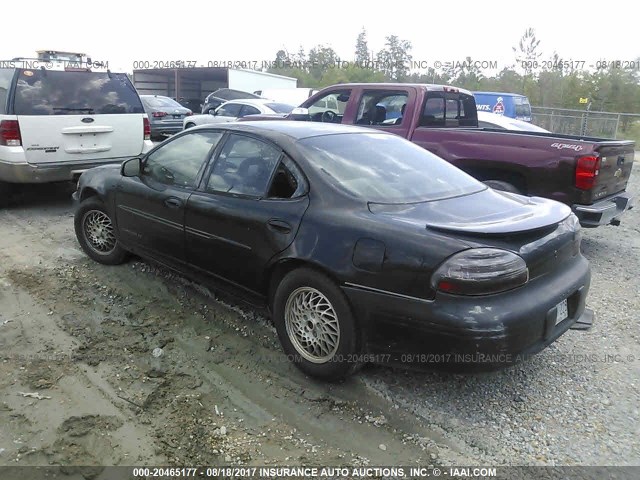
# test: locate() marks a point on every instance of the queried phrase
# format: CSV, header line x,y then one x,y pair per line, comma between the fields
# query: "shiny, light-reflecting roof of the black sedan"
x,y
294,130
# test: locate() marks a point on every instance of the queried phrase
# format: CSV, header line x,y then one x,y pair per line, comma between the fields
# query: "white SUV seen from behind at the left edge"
x,y
56,123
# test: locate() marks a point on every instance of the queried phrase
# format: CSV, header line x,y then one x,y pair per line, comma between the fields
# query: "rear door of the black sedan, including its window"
x,y
248,209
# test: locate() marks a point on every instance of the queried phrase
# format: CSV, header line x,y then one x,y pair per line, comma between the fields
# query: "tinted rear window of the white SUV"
x,y
47,92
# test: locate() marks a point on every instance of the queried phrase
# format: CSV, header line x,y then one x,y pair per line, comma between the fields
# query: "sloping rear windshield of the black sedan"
x,y
383,168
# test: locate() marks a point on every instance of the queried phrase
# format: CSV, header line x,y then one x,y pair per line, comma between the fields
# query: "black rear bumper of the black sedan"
x,y
486,332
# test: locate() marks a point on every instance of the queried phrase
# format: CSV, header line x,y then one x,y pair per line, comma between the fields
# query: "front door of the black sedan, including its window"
x,y
150,207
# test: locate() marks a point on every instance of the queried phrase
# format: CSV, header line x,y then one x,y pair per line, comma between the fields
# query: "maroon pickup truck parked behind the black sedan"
x,y
588,174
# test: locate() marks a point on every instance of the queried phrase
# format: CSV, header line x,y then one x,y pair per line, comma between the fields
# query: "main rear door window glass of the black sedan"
x,y
245,166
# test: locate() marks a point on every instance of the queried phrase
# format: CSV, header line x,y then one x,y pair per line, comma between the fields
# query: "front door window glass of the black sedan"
x,y
179,161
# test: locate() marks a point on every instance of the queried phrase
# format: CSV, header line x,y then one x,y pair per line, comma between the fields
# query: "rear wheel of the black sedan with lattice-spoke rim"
x,y
341,355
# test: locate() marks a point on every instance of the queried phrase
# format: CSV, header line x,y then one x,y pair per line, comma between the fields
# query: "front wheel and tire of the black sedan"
x,y
104,246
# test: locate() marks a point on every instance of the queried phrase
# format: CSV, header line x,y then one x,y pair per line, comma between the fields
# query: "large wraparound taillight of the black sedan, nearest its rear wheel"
x,y
480,271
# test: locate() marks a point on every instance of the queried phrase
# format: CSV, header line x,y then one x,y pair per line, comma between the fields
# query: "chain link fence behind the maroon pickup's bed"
x,y
588,123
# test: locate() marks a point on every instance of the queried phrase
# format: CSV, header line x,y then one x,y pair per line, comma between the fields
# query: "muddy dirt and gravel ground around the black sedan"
x,y
133,365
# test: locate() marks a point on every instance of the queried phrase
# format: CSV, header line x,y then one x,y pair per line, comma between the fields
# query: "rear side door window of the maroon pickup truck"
x,y
381,108
